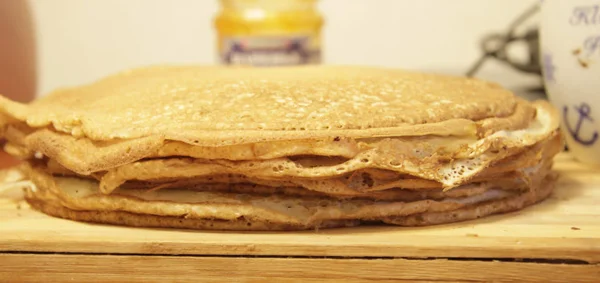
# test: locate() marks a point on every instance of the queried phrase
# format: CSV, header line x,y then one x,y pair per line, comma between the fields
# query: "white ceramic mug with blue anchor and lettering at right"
x,y
570,51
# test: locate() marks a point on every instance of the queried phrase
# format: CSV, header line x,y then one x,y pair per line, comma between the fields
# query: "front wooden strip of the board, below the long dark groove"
x,y
130,268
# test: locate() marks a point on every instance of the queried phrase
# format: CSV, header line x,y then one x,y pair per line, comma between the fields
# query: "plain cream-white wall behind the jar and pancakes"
x,y
82,40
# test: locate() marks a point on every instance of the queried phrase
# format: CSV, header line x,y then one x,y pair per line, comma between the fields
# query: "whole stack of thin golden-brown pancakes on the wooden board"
x,y
281,148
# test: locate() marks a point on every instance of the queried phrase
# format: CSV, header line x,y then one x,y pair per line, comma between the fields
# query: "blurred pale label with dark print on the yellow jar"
x,y
269,51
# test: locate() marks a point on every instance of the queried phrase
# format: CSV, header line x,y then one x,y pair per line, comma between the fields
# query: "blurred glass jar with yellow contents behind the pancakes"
x,y
269,32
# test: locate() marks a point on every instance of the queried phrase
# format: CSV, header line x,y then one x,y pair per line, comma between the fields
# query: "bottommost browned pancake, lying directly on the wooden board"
x,y
115,217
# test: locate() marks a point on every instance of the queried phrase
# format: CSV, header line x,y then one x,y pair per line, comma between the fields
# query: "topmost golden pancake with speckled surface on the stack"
x,y
216,106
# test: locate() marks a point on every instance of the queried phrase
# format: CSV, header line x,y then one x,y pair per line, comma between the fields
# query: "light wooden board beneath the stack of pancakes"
x,y
555,241
